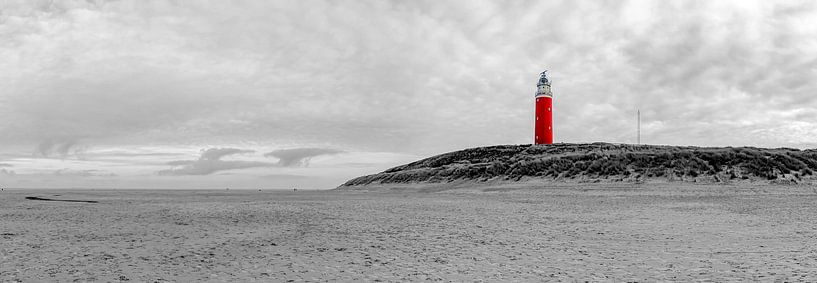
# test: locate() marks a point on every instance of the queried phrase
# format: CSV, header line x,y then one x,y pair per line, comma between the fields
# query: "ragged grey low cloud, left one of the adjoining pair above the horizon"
x,y
210,162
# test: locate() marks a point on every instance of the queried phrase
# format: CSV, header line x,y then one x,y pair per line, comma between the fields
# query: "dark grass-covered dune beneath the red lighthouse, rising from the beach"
x,y
602,162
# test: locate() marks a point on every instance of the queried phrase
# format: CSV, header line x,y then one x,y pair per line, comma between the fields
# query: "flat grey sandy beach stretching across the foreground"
x,y
582,233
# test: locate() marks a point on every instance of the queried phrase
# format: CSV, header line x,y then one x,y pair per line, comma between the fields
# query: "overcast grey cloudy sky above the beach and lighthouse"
x,y
307,94
